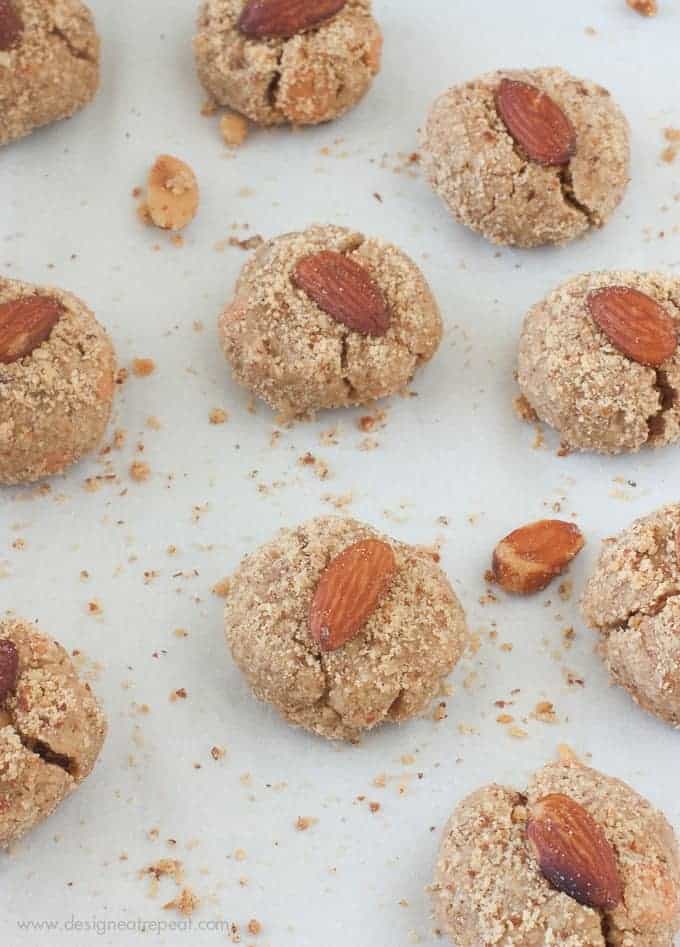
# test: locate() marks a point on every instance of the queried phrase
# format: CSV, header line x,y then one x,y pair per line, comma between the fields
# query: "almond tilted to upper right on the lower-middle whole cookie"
x,y
349,590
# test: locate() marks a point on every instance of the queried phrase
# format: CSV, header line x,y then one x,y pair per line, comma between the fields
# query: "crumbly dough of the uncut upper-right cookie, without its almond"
x,y
480,173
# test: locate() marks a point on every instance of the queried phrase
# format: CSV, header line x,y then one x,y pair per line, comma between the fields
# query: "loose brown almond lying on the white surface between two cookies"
x,y
531,556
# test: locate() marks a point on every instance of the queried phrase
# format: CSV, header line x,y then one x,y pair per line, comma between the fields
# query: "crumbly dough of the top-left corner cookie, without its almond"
x,y
52,70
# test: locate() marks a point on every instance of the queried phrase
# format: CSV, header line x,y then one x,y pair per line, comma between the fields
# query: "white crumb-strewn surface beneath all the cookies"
x,y
456,450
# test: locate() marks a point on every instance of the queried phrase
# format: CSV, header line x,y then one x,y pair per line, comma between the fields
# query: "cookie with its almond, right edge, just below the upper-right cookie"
x,y
599,361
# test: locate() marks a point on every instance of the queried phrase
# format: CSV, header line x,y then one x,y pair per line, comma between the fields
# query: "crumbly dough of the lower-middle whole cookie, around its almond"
x,y
388,671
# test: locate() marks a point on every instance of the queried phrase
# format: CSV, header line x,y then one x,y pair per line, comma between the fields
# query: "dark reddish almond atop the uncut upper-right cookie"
x,y
536,122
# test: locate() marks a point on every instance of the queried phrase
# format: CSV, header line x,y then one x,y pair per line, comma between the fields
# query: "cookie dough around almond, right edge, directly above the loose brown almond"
x,y
582,385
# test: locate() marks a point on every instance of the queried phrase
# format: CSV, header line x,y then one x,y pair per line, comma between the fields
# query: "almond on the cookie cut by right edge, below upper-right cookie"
x,y
634,323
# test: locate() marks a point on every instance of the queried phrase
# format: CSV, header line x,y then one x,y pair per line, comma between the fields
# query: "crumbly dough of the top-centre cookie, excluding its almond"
x,y
308,78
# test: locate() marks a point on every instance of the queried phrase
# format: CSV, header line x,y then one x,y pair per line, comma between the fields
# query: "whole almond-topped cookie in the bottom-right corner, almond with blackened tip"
x,y
613,860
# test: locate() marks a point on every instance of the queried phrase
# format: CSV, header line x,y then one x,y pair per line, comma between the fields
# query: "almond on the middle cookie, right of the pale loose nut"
x,y
344,290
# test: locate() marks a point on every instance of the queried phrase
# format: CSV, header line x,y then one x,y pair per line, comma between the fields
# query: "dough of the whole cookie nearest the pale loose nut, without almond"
x,y
289,350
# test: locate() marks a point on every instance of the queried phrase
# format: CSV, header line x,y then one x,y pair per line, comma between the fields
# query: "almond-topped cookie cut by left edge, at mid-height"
x,y
56,381
